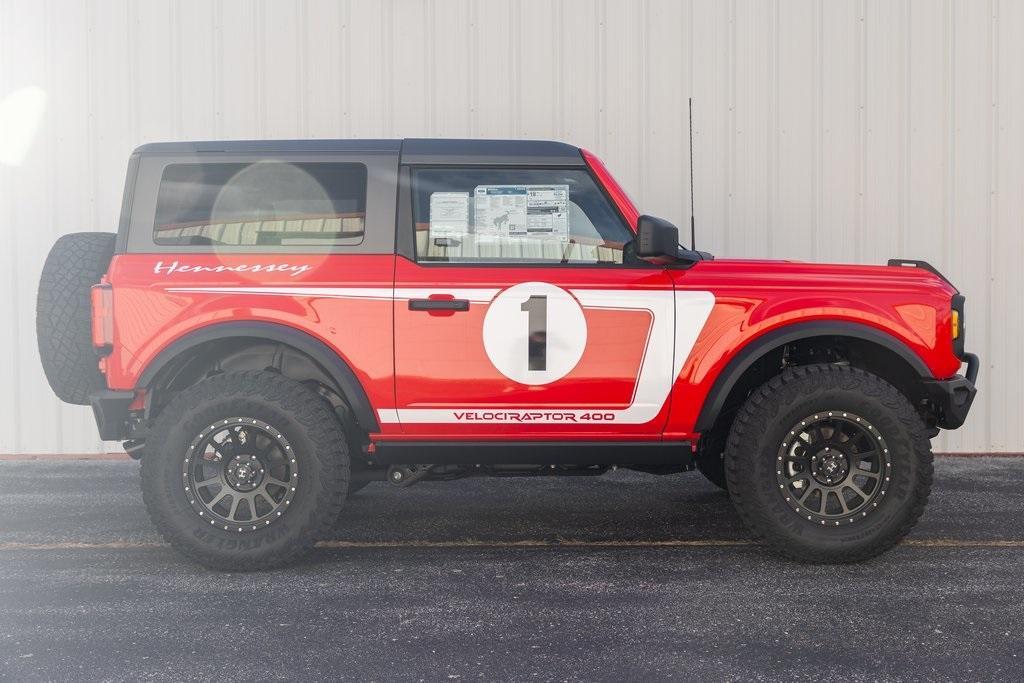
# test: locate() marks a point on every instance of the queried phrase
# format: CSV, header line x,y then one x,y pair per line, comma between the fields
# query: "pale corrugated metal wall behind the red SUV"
x,y
829,132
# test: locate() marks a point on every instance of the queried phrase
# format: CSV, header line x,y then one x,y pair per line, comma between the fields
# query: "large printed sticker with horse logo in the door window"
x,y
536,212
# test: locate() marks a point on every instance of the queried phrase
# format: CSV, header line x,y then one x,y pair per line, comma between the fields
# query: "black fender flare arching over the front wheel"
x,y
756,349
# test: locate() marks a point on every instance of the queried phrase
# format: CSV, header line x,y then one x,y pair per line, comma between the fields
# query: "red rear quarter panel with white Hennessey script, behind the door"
x,y
154,308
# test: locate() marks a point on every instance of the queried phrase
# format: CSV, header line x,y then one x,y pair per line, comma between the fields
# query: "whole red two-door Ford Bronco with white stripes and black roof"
x,y
280,323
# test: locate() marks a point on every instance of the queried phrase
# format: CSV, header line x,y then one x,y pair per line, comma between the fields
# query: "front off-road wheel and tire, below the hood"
x,y
829,464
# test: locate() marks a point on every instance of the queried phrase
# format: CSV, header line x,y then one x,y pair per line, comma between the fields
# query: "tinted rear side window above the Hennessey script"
x,y
270,203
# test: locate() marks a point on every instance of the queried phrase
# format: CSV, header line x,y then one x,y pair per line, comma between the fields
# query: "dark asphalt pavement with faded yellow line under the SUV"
x,y
626,577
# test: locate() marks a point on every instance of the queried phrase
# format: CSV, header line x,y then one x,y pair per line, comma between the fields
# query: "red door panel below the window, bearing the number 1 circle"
x,y
467,374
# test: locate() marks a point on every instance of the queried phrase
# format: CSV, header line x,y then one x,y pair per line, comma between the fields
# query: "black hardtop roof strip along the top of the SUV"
x,y
413,151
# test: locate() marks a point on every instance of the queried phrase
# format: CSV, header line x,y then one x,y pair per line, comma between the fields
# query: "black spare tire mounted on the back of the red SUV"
x,y
64,314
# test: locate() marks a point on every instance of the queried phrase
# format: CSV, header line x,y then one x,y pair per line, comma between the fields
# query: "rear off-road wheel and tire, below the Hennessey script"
x,y
246,472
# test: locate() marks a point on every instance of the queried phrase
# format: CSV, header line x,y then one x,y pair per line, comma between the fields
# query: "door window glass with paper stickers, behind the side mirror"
x,y
542,217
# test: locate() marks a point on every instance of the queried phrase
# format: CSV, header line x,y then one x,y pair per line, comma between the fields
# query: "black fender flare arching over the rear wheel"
x,y
336,368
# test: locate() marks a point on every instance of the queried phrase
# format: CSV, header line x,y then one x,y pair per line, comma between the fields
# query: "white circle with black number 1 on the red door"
x,y
535,333
